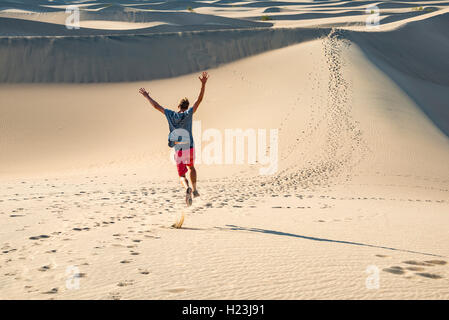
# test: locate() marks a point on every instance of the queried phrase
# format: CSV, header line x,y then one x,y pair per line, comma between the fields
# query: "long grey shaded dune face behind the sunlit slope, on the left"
x,y
152,54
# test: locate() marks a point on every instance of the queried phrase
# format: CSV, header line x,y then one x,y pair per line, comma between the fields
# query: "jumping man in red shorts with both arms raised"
x,y
181,138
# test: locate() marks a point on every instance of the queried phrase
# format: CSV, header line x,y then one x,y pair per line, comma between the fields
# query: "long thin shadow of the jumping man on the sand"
x,y
280,233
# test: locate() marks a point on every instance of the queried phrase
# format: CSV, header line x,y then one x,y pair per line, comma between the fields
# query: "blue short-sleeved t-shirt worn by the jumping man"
x,y
180,125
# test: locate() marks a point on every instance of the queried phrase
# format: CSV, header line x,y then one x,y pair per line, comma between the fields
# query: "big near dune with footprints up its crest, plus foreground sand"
x,y
362,185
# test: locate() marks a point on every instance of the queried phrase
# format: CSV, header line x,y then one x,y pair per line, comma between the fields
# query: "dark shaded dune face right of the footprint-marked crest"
x,y
418,67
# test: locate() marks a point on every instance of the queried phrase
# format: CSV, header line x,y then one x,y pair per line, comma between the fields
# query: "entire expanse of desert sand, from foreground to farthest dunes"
x,y
357,208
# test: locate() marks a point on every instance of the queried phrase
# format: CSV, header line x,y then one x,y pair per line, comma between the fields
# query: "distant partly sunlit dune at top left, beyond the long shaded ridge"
x,y
51,24
